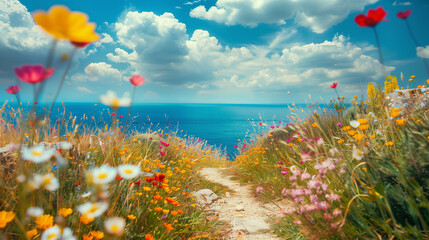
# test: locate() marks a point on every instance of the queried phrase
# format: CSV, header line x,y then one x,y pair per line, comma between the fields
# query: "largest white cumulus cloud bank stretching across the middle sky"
x,y
159,48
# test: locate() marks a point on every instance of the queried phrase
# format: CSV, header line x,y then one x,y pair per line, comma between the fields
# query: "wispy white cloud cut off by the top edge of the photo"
x,y
314,14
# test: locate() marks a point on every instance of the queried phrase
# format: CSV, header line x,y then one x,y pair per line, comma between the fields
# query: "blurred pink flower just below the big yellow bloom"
x,y
33,73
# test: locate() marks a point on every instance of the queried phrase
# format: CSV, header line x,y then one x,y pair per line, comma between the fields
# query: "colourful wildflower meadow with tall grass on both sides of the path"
x,y
355,170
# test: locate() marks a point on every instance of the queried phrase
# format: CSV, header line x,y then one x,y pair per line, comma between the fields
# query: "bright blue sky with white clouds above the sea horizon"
x,y
217,51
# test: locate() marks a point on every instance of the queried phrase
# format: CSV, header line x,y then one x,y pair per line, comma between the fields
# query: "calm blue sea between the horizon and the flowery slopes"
x,y
221,125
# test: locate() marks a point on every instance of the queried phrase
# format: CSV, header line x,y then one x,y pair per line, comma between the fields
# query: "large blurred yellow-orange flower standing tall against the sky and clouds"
x,y
65,25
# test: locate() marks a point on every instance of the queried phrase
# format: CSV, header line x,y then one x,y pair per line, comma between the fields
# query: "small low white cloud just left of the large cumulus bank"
x,y
97,71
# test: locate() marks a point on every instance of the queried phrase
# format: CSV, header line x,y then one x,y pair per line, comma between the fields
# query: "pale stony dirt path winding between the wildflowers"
x,y
240,209
